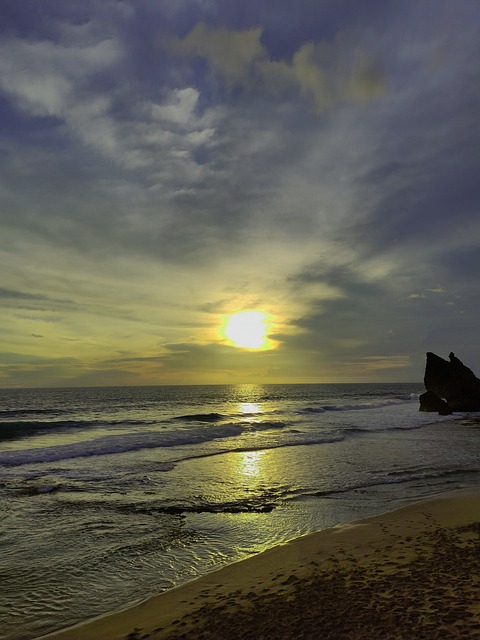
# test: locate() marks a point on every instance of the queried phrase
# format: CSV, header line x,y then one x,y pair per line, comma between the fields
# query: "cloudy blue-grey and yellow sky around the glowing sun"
x,y
166,164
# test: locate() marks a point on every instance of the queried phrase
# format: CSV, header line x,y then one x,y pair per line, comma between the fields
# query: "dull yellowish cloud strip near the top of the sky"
x,y
325,73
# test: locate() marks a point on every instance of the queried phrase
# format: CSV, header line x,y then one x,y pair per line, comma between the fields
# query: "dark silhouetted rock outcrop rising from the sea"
x,y
451,386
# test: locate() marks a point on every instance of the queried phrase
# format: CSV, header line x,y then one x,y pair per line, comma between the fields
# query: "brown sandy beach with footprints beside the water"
x,y
410,574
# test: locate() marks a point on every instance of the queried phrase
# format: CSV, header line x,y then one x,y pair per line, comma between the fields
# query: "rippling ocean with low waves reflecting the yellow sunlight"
x,y
111,495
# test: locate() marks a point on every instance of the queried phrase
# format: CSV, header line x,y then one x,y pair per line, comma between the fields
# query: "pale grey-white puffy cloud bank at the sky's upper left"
x,y
70,80
